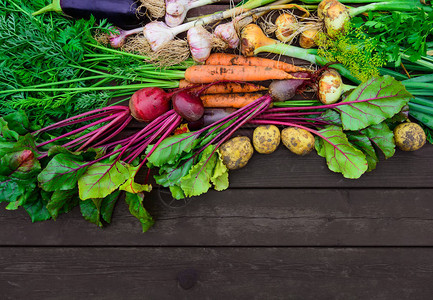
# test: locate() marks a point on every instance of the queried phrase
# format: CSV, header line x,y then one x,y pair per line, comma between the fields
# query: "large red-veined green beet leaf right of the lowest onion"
x,y
384,97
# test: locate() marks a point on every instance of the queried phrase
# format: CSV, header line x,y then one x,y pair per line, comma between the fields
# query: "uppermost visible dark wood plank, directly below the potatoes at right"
x,y
285,169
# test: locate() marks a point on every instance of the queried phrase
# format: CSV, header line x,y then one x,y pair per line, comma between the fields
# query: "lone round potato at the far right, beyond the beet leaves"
x,y
409,136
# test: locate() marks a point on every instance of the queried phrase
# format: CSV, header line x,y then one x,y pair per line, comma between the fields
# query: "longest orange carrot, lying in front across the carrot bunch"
x,y
209,74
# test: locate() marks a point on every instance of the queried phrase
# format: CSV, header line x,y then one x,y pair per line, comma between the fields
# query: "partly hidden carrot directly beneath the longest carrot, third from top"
x,y
225,88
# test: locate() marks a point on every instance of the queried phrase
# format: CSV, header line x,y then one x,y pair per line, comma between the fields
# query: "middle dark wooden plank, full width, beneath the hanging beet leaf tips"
x,y
253,217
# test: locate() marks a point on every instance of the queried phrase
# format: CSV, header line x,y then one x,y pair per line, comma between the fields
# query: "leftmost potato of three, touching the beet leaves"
x,y
236,152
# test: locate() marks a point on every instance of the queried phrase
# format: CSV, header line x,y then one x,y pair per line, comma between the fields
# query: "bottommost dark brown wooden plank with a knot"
x,y
231,273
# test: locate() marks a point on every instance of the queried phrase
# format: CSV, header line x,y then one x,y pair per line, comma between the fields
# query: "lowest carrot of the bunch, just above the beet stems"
x,y
229,100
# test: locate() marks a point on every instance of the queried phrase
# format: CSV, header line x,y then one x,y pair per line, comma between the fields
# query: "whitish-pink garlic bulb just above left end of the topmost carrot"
x,y
200,43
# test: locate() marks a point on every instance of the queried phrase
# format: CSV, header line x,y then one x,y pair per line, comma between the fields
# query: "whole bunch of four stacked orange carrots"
x,y
236,68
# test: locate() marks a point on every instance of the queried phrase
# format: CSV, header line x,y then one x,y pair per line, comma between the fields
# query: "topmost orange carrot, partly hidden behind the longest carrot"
x,y
227,59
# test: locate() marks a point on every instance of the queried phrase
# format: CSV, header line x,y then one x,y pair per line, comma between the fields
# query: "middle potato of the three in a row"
x,y
266,138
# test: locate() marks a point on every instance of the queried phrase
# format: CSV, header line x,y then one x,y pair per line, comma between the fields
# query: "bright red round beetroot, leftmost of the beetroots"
x,y
149,103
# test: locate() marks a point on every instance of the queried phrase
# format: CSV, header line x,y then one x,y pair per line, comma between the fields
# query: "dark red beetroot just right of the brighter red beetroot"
x,y
188,106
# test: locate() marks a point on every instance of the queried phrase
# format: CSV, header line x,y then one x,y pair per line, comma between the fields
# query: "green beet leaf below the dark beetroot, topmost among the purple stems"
x,y
170,149
